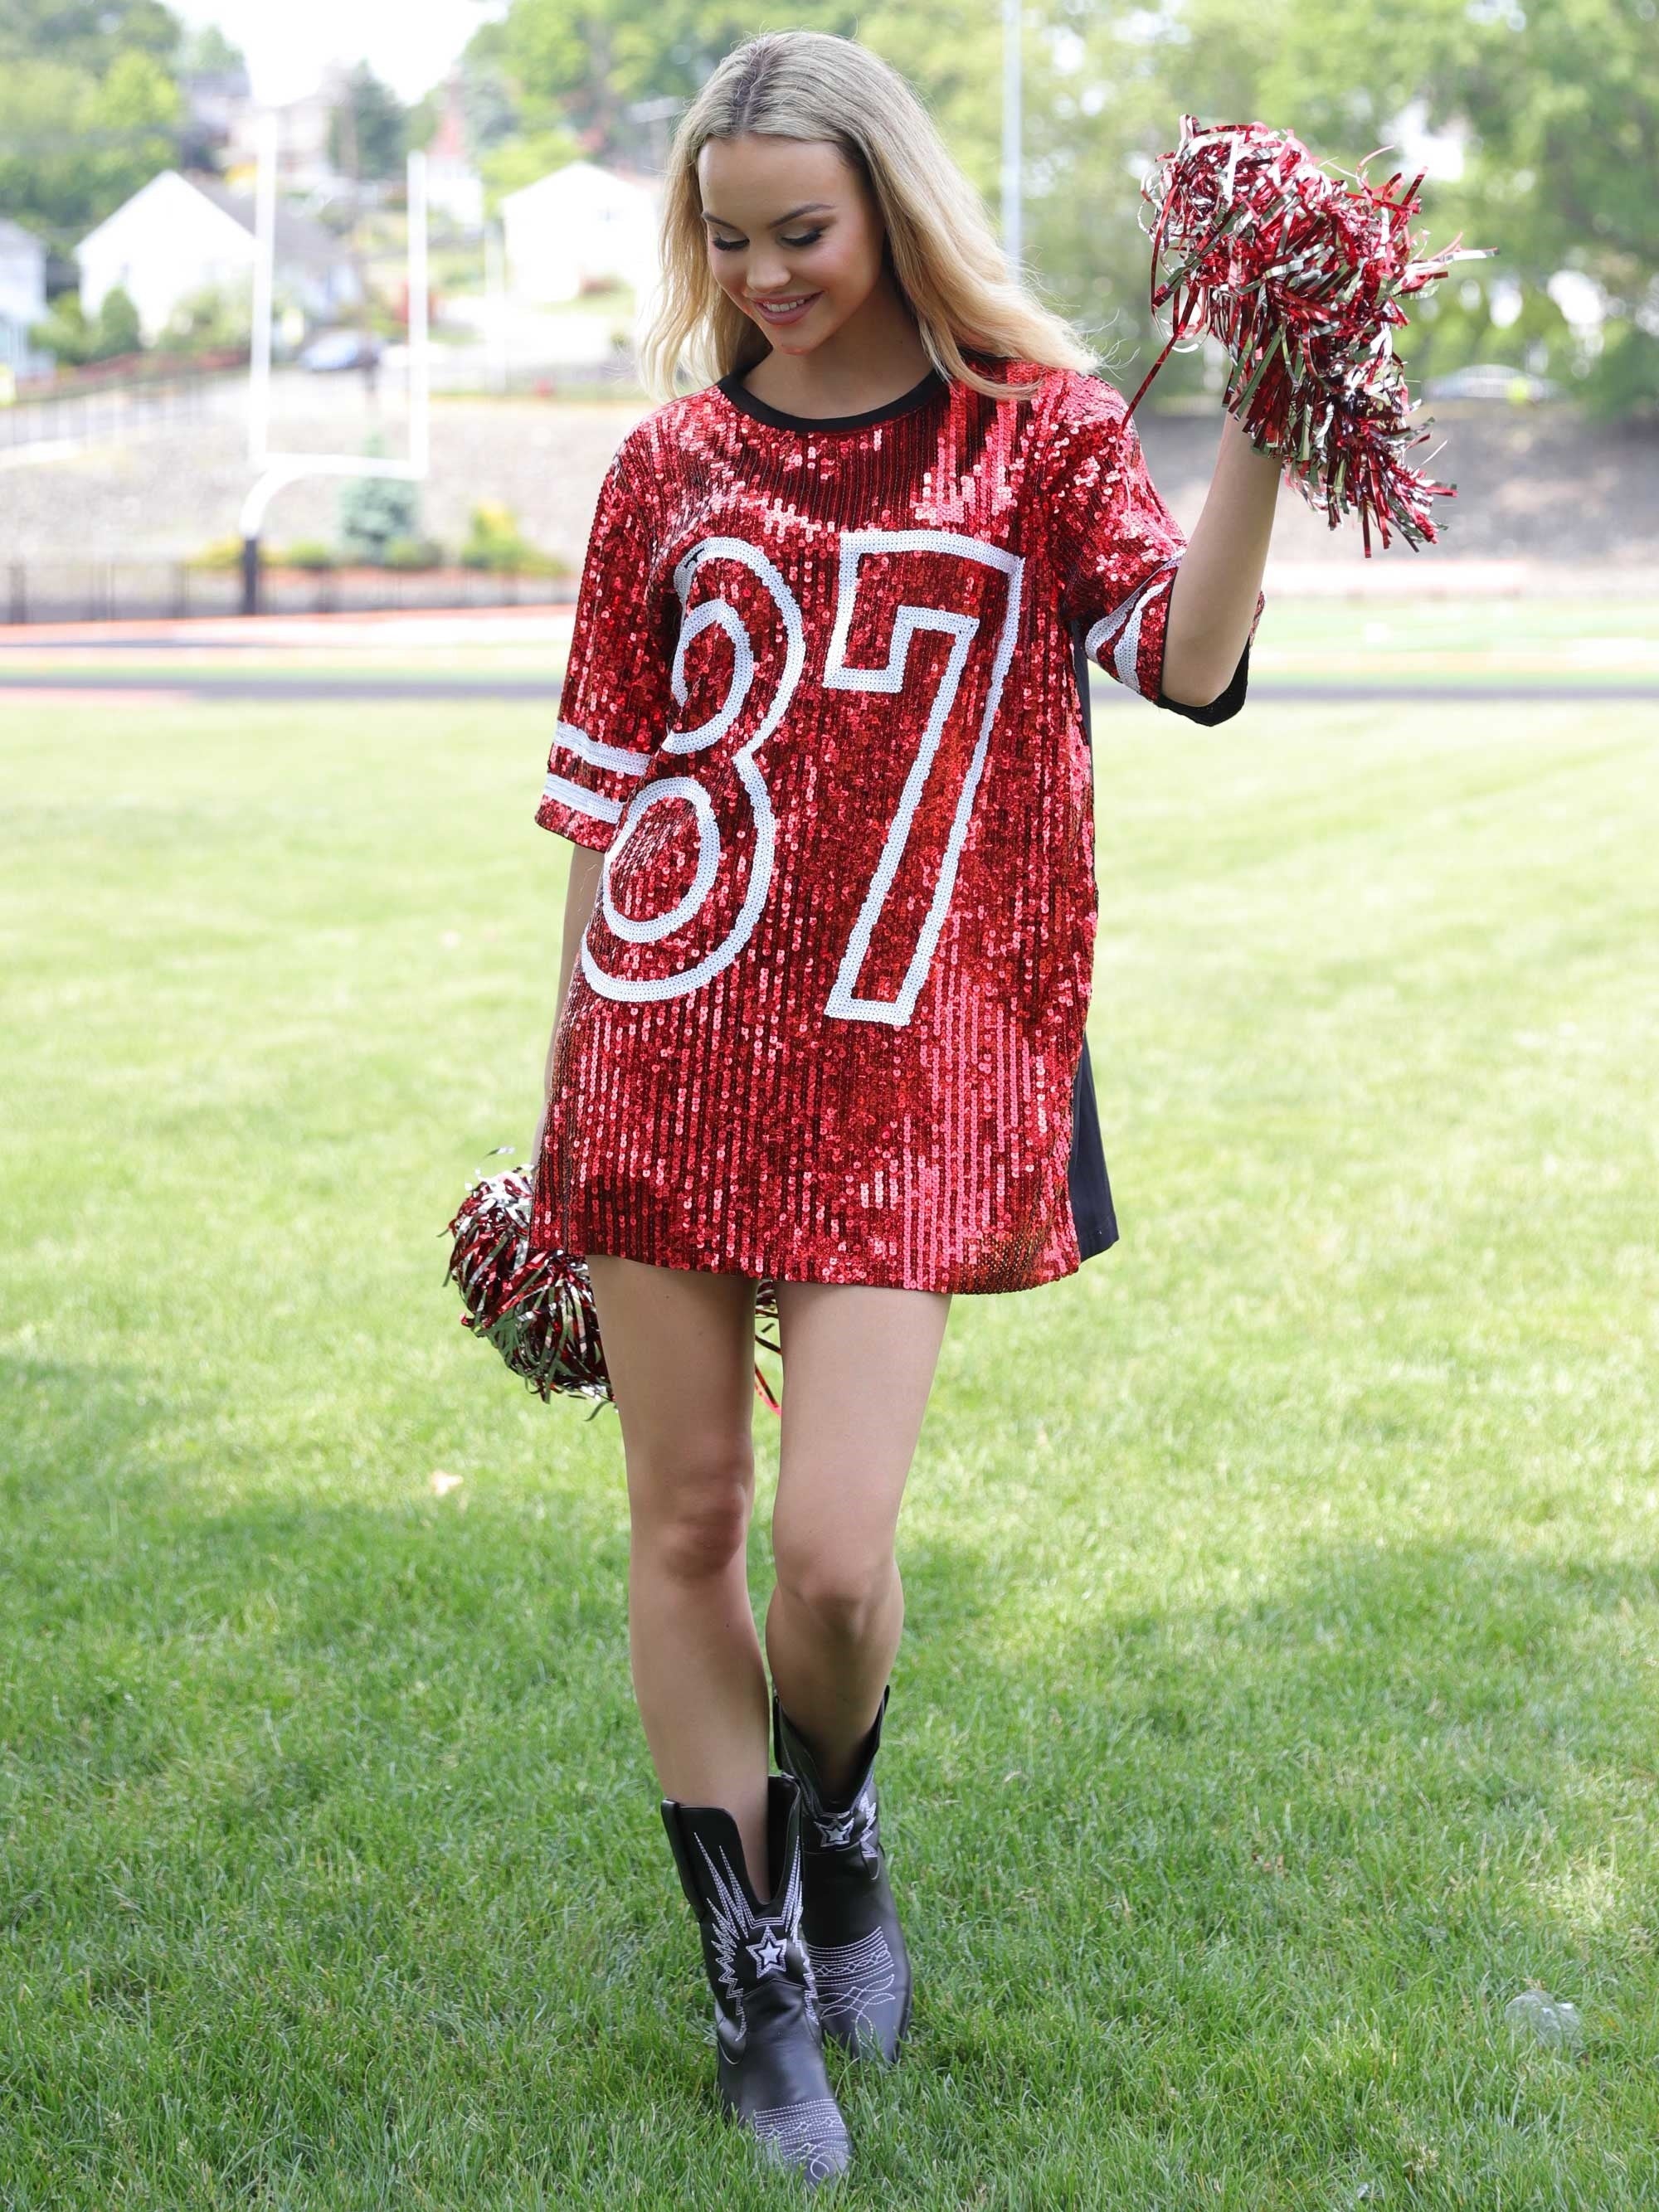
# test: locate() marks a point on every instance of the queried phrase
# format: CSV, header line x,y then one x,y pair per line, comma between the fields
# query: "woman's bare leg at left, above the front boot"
x,y
680,1348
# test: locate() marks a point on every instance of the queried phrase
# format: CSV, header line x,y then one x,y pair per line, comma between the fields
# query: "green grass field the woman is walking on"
x,y
1280,1680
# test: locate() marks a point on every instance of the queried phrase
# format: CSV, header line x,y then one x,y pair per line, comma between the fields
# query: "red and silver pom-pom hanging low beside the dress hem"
x,y
539,1306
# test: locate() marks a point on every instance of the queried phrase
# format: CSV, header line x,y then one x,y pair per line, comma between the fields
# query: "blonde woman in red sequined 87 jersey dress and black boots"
x,y
828,950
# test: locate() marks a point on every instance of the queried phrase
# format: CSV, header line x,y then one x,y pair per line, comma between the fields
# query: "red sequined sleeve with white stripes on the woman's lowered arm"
x,y
616,700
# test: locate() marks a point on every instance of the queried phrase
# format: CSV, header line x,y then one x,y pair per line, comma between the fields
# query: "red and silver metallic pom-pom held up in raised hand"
x,y
1300,275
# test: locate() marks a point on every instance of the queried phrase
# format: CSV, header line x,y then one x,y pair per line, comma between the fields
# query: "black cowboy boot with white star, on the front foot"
x,y
766,2014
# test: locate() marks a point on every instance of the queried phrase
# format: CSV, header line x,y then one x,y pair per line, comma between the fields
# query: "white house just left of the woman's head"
x,y
583,227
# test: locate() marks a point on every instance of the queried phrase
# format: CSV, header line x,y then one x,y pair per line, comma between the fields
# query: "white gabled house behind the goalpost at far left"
x,y
185,236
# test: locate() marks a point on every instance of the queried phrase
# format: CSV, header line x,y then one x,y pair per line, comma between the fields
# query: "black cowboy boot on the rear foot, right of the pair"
x,y
851,1923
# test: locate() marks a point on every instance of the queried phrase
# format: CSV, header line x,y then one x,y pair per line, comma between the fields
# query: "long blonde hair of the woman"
x,y
941,247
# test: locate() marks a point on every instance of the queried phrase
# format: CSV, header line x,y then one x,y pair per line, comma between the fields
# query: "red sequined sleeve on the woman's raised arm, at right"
x,y
1116,545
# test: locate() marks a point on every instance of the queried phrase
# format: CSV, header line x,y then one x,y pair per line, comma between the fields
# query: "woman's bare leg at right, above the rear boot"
x,y
857,1370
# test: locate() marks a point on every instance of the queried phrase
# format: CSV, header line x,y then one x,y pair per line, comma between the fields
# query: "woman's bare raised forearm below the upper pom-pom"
x,y
1218,587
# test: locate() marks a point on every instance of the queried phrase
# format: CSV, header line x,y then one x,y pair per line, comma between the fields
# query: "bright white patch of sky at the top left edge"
x,y
410,43
